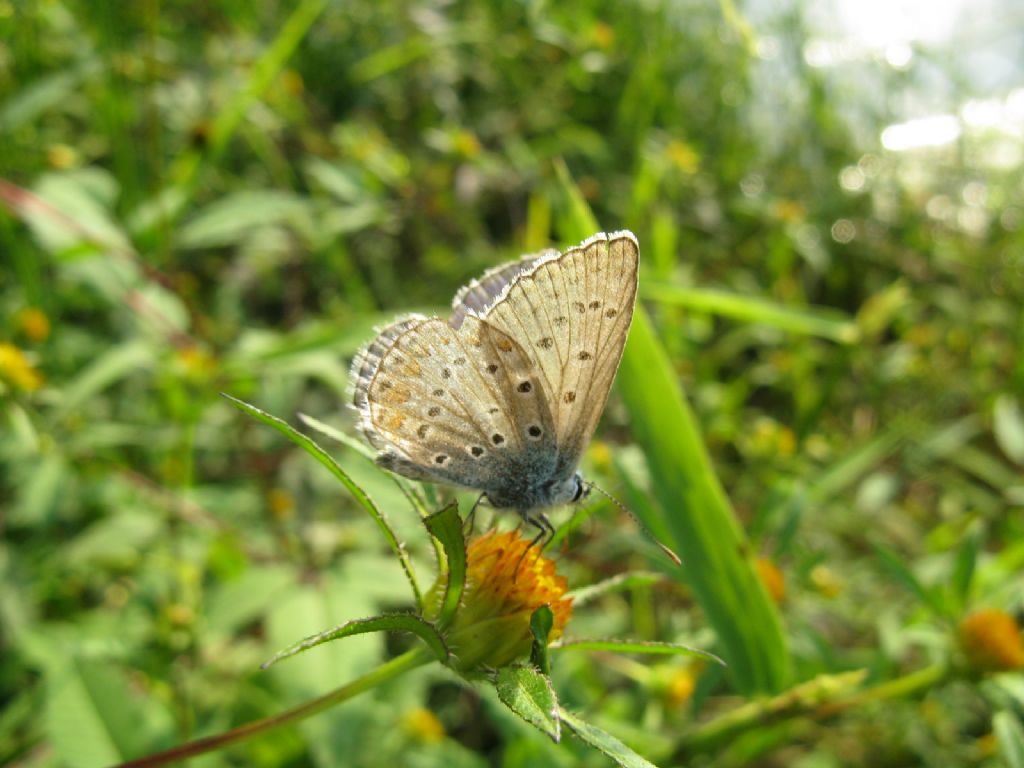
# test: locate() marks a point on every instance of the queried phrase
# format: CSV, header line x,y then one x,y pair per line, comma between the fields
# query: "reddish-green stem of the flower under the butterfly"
x,y
398,666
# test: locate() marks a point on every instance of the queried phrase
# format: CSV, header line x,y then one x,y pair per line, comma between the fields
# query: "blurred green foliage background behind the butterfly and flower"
x,y
230,196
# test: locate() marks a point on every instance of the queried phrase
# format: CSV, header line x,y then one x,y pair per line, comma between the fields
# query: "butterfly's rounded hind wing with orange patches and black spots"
x,y
463,407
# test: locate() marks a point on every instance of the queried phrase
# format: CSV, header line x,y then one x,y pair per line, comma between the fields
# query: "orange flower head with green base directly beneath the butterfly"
x,y
507,580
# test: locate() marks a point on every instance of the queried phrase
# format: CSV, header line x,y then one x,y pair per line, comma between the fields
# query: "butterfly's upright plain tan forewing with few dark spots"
x,y
573,312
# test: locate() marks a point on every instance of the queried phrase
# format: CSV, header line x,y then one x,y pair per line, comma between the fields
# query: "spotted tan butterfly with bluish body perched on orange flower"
x,y
504,397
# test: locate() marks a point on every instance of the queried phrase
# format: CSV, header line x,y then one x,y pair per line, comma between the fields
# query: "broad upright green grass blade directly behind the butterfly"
x,y
693,505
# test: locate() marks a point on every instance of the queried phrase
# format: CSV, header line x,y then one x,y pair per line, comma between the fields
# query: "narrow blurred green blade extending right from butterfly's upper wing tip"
x,y
822,322
